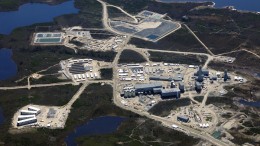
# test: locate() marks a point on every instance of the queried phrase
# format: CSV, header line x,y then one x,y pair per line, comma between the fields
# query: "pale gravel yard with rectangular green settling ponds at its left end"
x,y
80,38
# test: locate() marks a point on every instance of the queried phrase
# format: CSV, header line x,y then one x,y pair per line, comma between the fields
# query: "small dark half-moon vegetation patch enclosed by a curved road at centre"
x,y
130,56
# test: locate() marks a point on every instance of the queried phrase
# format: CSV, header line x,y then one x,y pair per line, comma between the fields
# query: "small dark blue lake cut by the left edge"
x,y
8,67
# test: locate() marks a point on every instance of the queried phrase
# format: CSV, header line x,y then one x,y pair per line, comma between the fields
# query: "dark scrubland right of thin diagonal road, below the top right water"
x,y
240,30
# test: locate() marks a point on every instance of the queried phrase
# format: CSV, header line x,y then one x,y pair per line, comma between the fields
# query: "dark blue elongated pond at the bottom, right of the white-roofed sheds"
x,y
97,126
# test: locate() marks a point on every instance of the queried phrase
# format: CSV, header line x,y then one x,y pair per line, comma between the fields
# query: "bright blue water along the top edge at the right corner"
x,y
246,5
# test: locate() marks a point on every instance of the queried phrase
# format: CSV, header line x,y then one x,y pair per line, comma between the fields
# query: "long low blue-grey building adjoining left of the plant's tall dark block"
x,y
145,88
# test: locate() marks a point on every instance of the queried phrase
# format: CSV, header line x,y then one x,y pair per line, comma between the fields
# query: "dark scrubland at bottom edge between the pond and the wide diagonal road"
x,y
148,133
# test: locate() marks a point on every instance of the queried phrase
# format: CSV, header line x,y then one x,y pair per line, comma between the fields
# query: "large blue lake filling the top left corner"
x,y
33,13
